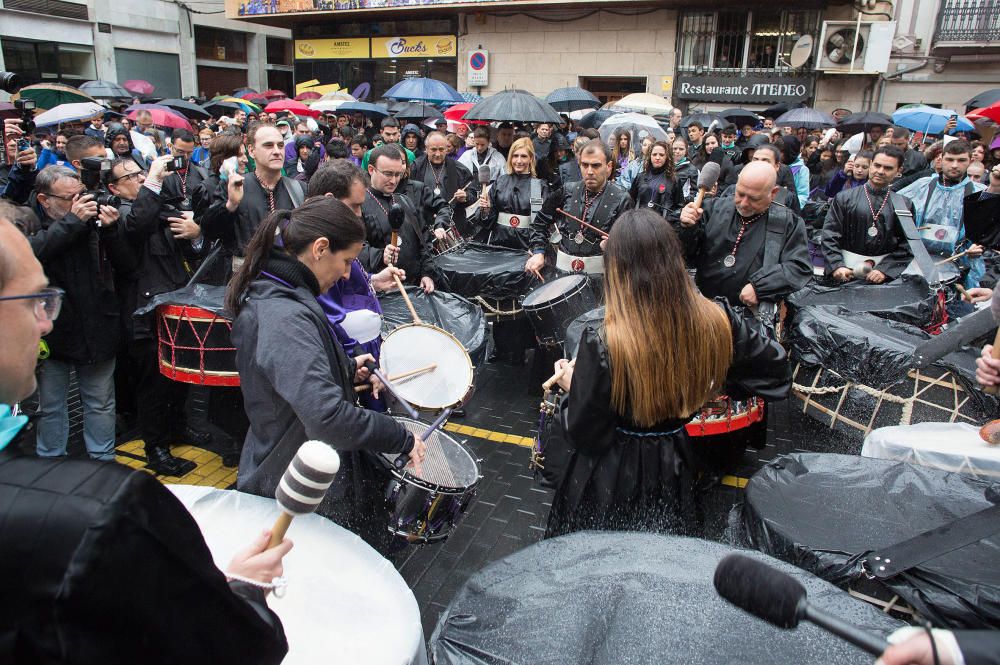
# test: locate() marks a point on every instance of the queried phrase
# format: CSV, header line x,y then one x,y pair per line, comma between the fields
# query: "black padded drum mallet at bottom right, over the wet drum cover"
x,y
779,599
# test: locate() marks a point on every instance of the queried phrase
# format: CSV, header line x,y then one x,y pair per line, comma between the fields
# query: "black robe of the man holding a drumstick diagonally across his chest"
x,y
603,212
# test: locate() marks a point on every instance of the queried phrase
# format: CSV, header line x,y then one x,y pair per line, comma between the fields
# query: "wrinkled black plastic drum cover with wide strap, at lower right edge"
x,y
825,512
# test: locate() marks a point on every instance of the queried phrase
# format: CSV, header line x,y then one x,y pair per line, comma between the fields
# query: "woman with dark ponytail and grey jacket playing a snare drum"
x,y
297,380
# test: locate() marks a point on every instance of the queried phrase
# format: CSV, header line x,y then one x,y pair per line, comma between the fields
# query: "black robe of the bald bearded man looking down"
x,y
707,244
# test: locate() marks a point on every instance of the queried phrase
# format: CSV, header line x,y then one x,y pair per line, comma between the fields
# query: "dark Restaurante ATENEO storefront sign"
x,y
744,89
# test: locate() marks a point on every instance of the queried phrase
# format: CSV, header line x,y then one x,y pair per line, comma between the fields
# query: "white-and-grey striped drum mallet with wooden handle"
x,y
303,485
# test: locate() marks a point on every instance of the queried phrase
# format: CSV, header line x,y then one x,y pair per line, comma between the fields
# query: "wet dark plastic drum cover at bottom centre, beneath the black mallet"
x,y
615,598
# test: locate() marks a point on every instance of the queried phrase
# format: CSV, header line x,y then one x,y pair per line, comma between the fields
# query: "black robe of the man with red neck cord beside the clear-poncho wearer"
x,y
846,227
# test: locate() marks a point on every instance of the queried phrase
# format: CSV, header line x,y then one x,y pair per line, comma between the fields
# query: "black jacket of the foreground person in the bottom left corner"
x,y
104,566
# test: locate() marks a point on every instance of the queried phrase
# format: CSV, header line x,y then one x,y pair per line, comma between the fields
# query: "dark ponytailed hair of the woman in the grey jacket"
x,y
319,217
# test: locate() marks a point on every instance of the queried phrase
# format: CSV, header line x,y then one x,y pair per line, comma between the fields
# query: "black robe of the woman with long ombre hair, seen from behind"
x,y
616,475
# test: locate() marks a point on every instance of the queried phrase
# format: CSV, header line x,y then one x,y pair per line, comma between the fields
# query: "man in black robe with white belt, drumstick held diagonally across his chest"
x,y
596,200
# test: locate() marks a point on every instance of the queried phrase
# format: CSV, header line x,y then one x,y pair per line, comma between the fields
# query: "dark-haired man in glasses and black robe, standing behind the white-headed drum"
x,y
386,170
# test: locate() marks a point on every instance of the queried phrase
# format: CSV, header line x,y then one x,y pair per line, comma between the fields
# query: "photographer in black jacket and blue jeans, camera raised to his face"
x,y
81,247
